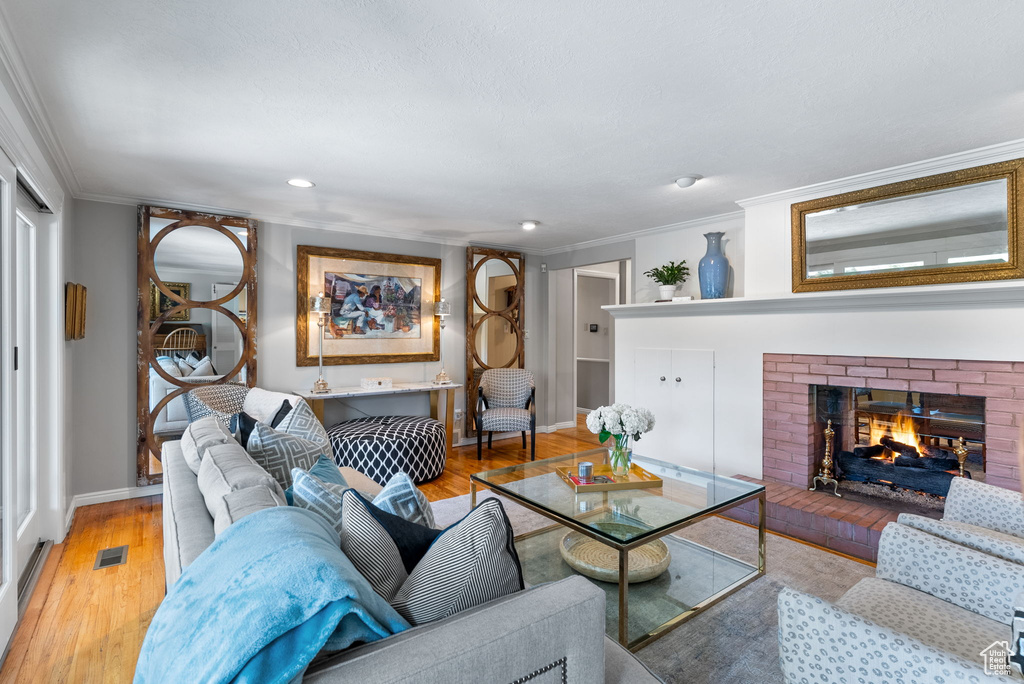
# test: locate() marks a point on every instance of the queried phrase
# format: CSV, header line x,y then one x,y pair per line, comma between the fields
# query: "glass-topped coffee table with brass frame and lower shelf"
x,y
625,521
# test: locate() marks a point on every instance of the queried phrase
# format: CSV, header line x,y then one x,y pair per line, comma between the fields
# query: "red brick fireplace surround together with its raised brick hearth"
x,y
794,446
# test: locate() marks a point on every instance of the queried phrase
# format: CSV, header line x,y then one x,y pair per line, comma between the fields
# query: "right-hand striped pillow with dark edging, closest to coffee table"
x,y
473,563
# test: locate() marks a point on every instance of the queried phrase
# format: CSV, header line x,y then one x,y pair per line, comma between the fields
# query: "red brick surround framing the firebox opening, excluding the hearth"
x,y
790,451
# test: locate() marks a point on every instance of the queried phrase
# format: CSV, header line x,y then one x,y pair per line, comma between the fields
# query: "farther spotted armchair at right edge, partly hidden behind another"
x,y
980,517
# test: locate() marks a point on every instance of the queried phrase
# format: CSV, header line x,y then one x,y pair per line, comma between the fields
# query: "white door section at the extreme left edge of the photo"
x,y
10,417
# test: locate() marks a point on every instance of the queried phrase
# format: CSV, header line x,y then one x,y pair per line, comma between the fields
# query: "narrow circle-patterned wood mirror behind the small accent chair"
x,y
495,297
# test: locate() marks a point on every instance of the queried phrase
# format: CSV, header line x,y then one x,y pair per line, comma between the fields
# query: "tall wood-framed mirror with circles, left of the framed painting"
x,y
197,319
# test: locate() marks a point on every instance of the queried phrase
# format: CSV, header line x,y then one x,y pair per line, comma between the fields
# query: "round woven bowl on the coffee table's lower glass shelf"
x,y
601,562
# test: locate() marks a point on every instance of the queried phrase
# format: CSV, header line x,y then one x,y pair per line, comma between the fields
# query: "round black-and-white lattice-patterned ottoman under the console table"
x,y
379,447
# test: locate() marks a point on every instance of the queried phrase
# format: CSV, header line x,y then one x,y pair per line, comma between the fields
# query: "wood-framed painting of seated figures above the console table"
x,y
381,308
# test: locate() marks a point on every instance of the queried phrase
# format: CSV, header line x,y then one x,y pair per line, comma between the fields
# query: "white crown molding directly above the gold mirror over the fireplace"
x,y
962,160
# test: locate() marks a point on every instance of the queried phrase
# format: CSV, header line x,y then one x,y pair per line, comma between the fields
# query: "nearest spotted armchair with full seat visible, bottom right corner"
x,y
934,613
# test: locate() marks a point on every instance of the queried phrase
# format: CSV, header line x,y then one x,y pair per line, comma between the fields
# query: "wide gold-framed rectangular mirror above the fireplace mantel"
x,y
961,227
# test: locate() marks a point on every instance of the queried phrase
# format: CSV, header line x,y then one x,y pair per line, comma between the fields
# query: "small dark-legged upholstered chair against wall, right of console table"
x,y
506,402
